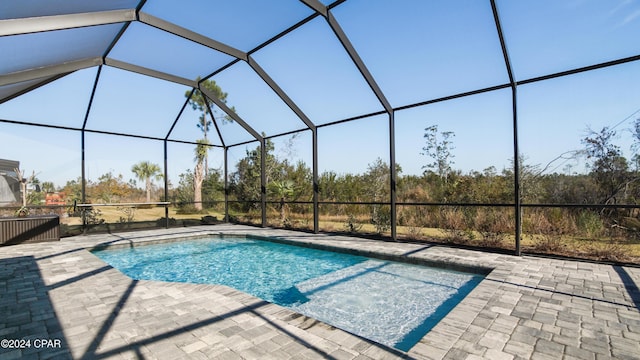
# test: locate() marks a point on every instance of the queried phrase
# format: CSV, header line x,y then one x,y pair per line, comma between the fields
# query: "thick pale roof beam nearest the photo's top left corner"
x,y
60,22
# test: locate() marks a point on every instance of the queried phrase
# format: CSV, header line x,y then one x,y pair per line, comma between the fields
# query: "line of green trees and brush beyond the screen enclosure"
x,y
610,179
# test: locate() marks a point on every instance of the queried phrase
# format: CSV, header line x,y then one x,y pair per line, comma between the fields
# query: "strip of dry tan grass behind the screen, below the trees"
x,y
598,248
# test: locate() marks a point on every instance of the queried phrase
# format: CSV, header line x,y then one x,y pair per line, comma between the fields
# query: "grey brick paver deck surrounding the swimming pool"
x,y
60,301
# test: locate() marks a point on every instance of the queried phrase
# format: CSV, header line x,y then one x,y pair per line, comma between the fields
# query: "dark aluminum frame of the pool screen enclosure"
x,y
51,73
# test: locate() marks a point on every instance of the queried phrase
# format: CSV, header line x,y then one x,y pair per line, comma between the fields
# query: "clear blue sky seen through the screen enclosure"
x,y
416,51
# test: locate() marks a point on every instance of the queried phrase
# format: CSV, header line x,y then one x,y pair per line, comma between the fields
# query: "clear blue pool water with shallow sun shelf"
x,y
389,302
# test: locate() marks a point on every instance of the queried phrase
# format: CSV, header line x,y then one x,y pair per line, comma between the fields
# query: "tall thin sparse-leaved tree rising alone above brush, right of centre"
x,y
439,147
